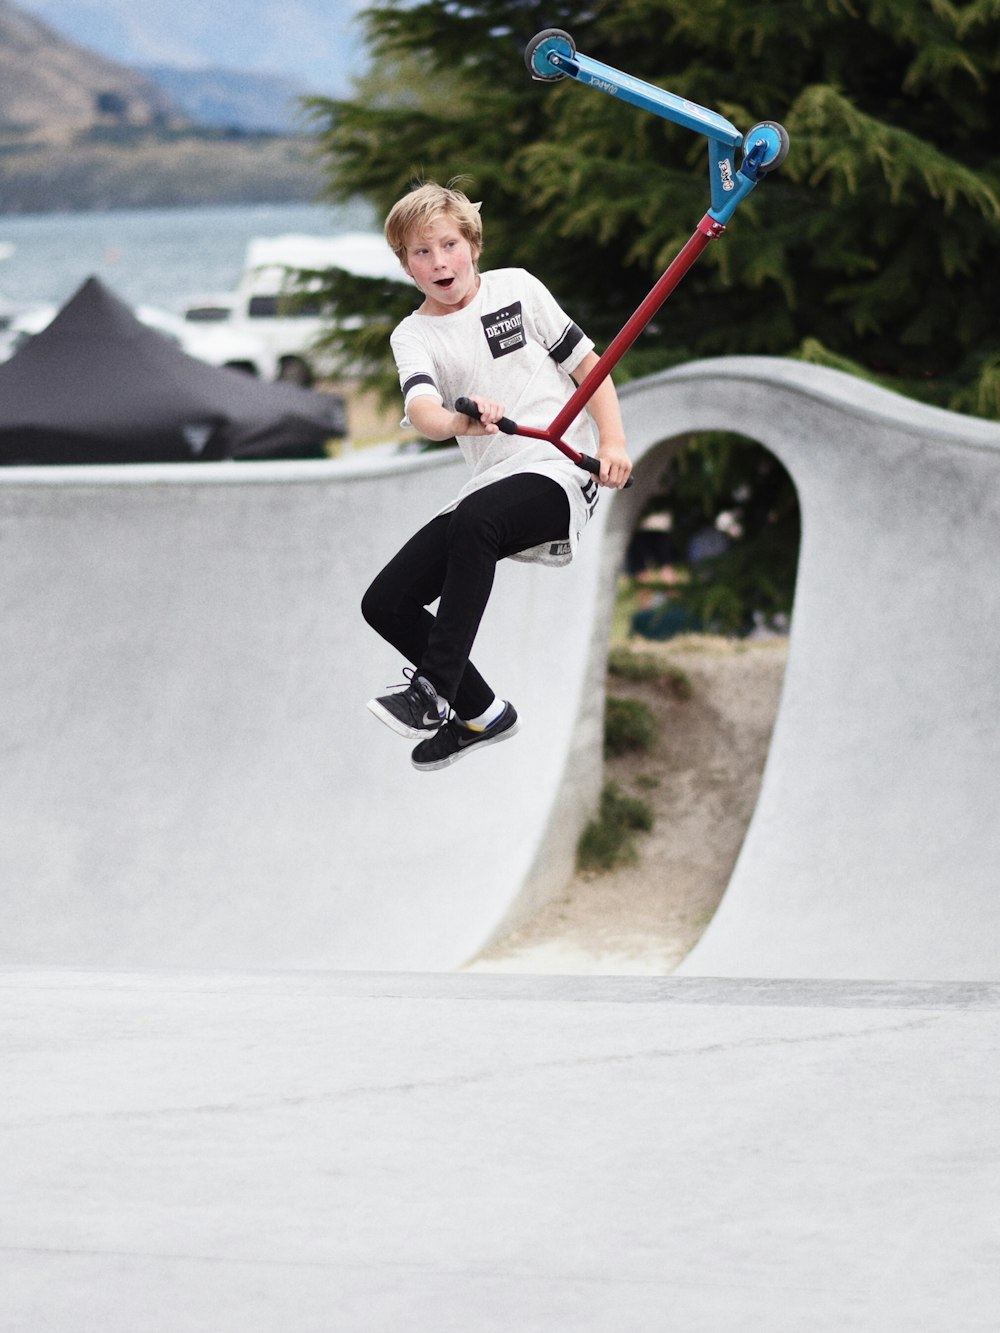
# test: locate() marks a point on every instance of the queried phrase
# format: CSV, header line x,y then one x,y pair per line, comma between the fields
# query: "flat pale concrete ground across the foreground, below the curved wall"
x,y
245,1154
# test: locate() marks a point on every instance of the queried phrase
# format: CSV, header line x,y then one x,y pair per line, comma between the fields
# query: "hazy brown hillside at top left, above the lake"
x,y
82,133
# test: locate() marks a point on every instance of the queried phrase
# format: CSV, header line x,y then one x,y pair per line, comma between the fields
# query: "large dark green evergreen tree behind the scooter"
x,y
875,246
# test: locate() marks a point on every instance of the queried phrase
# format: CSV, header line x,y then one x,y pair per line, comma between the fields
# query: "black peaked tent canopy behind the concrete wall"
x,y
98,386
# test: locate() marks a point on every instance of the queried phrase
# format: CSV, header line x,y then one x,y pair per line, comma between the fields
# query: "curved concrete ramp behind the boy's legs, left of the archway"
x,y
189,774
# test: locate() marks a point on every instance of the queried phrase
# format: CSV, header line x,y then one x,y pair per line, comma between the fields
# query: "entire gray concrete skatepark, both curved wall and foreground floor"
x,y
207,1128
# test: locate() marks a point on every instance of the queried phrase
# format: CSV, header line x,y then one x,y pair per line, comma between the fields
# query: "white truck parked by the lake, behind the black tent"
x,y
263,302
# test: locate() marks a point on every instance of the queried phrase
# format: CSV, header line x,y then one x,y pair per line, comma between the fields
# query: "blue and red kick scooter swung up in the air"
x,y
551,55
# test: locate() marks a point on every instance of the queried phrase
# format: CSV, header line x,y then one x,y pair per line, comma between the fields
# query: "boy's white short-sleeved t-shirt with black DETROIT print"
x,y
513,343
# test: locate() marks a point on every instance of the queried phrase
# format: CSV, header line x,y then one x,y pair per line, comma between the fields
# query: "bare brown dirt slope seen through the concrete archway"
x,y
702,782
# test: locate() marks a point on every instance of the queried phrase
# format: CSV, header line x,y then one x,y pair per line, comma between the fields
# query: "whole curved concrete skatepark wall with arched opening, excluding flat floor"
x,y
190,776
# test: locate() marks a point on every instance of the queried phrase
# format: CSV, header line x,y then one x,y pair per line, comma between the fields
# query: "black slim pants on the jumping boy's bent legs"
x,y
454,558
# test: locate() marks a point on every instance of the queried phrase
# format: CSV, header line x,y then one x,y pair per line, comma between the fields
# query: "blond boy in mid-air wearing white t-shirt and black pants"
x,y
501,339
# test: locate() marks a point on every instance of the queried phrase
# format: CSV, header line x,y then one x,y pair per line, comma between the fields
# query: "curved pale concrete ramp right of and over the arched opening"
x,y
875,847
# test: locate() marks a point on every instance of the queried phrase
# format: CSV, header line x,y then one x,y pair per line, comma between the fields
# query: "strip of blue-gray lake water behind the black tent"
x,y
151,257
